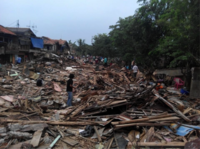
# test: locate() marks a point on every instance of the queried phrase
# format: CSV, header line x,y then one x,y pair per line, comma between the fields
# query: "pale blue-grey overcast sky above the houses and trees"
x,y
66,19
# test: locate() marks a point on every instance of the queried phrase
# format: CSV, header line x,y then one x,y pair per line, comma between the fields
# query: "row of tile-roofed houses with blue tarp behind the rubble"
x,y
21,43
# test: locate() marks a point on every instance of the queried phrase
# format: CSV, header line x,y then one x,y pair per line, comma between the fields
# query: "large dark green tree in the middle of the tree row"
x,y
137,35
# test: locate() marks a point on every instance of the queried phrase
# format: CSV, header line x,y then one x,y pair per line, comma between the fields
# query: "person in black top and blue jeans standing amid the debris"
x,y
69,89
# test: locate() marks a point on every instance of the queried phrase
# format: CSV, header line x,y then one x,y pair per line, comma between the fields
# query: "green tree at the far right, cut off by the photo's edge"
x,y
180,43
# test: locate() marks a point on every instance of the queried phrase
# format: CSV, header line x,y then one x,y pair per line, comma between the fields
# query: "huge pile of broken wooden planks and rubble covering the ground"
x,y
110,109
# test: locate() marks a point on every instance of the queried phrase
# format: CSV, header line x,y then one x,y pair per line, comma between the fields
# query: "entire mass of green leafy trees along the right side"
x,y
161,33
